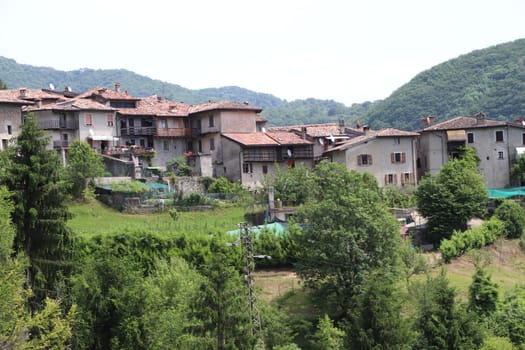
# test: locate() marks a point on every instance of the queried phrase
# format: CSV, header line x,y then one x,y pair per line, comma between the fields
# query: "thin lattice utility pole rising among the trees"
x,y
249,265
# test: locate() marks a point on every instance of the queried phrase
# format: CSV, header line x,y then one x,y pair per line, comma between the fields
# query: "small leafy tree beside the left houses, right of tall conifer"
x,y
83,164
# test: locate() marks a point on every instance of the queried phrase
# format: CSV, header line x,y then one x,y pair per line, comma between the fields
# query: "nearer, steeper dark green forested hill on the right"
x,y
490,80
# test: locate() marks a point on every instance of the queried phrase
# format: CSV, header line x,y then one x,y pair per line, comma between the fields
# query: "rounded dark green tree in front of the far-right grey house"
x,y
453,196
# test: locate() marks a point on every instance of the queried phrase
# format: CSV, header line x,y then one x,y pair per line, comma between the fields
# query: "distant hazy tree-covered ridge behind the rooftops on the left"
x,y
277,110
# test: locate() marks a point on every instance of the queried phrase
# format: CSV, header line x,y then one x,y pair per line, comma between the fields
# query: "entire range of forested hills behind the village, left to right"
x,y
490,80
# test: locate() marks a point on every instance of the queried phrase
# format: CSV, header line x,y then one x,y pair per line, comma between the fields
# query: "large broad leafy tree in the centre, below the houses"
x,y
347,232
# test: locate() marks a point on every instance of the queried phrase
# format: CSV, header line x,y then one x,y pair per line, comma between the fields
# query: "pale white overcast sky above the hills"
x,y
344,50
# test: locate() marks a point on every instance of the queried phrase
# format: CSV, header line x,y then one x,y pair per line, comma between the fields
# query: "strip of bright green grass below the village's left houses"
x,y
95,218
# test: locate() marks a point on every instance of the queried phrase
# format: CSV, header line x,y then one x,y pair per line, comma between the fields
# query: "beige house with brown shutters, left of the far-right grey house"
x,y
389,155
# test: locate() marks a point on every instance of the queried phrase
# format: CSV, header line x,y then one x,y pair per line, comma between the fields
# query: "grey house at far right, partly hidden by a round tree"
x,y
497,144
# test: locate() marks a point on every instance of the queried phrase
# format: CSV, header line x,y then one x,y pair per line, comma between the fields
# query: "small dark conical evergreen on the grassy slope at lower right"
x,y
483,293
